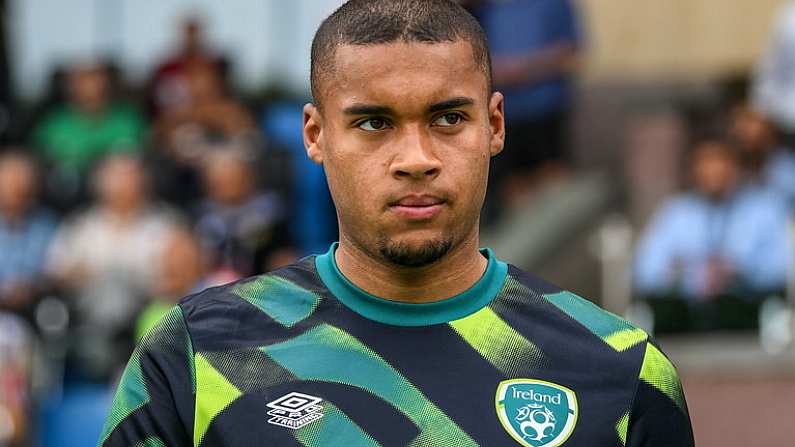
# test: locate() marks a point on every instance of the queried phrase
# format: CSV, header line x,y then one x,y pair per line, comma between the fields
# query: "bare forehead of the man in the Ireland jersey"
x,y
403,75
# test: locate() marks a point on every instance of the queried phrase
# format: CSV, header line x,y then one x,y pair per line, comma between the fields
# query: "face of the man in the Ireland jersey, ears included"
x,y
405,137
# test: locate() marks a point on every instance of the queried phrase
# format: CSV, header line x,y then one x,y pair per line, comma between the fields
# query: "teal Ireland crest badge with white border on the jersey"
x,y
536,413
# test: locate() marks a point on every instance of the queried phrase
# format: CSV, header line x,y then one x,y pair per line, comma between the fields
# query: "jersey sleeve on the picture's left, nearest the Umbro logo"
x,y
154,401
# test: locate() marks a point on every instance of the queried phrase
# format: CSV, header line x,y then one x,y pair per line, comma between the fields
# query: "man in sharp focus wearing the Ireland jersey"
x,y
404,333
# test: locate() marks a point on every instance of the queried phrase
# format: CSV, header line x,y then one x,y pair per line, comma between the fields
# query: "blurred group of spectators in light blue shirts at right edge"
x,y
713,254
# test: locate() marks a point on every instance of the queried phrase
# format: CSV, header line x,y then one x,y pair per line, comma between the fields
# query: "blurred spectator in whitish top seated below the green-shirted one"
x,y
106,258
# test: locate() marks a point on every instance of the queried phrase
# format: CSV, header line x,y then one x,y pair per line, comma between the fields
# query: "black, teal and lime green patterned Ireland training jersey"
x,y
303,357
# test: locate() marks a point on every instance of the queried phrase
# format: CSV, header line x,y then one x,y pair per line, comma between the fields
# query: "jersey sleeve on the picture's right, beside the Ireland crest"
x,y
659,415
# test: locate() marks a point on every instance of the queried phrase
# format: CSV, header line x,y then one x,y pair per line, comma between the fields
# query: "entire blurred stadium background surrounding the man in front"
x,y
149,149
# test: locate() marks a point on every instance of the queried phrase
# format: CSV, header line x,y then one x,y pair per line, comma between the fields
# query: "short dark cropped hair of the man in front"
x,y
371,22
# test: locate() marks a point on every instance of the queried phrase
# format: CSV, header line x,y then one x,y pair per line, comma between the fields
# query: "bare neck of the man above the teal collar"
x,y
454,273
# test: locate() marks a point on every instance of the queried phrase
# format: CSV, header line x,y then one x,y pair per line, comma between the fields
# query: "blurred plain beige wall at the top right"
x,y
675,38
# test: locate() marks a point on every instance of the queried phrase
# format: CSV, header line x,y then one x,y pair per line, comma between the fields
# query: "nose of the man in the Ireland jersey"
x,y
415,158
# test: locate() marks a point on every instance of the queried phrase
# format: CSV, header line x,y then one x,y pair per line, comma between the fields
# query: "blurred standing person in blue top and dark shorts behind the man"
x,y
535,46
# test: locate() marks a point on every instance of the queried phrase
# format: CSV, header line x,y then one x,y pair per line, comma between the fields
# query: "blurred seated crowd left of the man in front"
x,y
117,200
